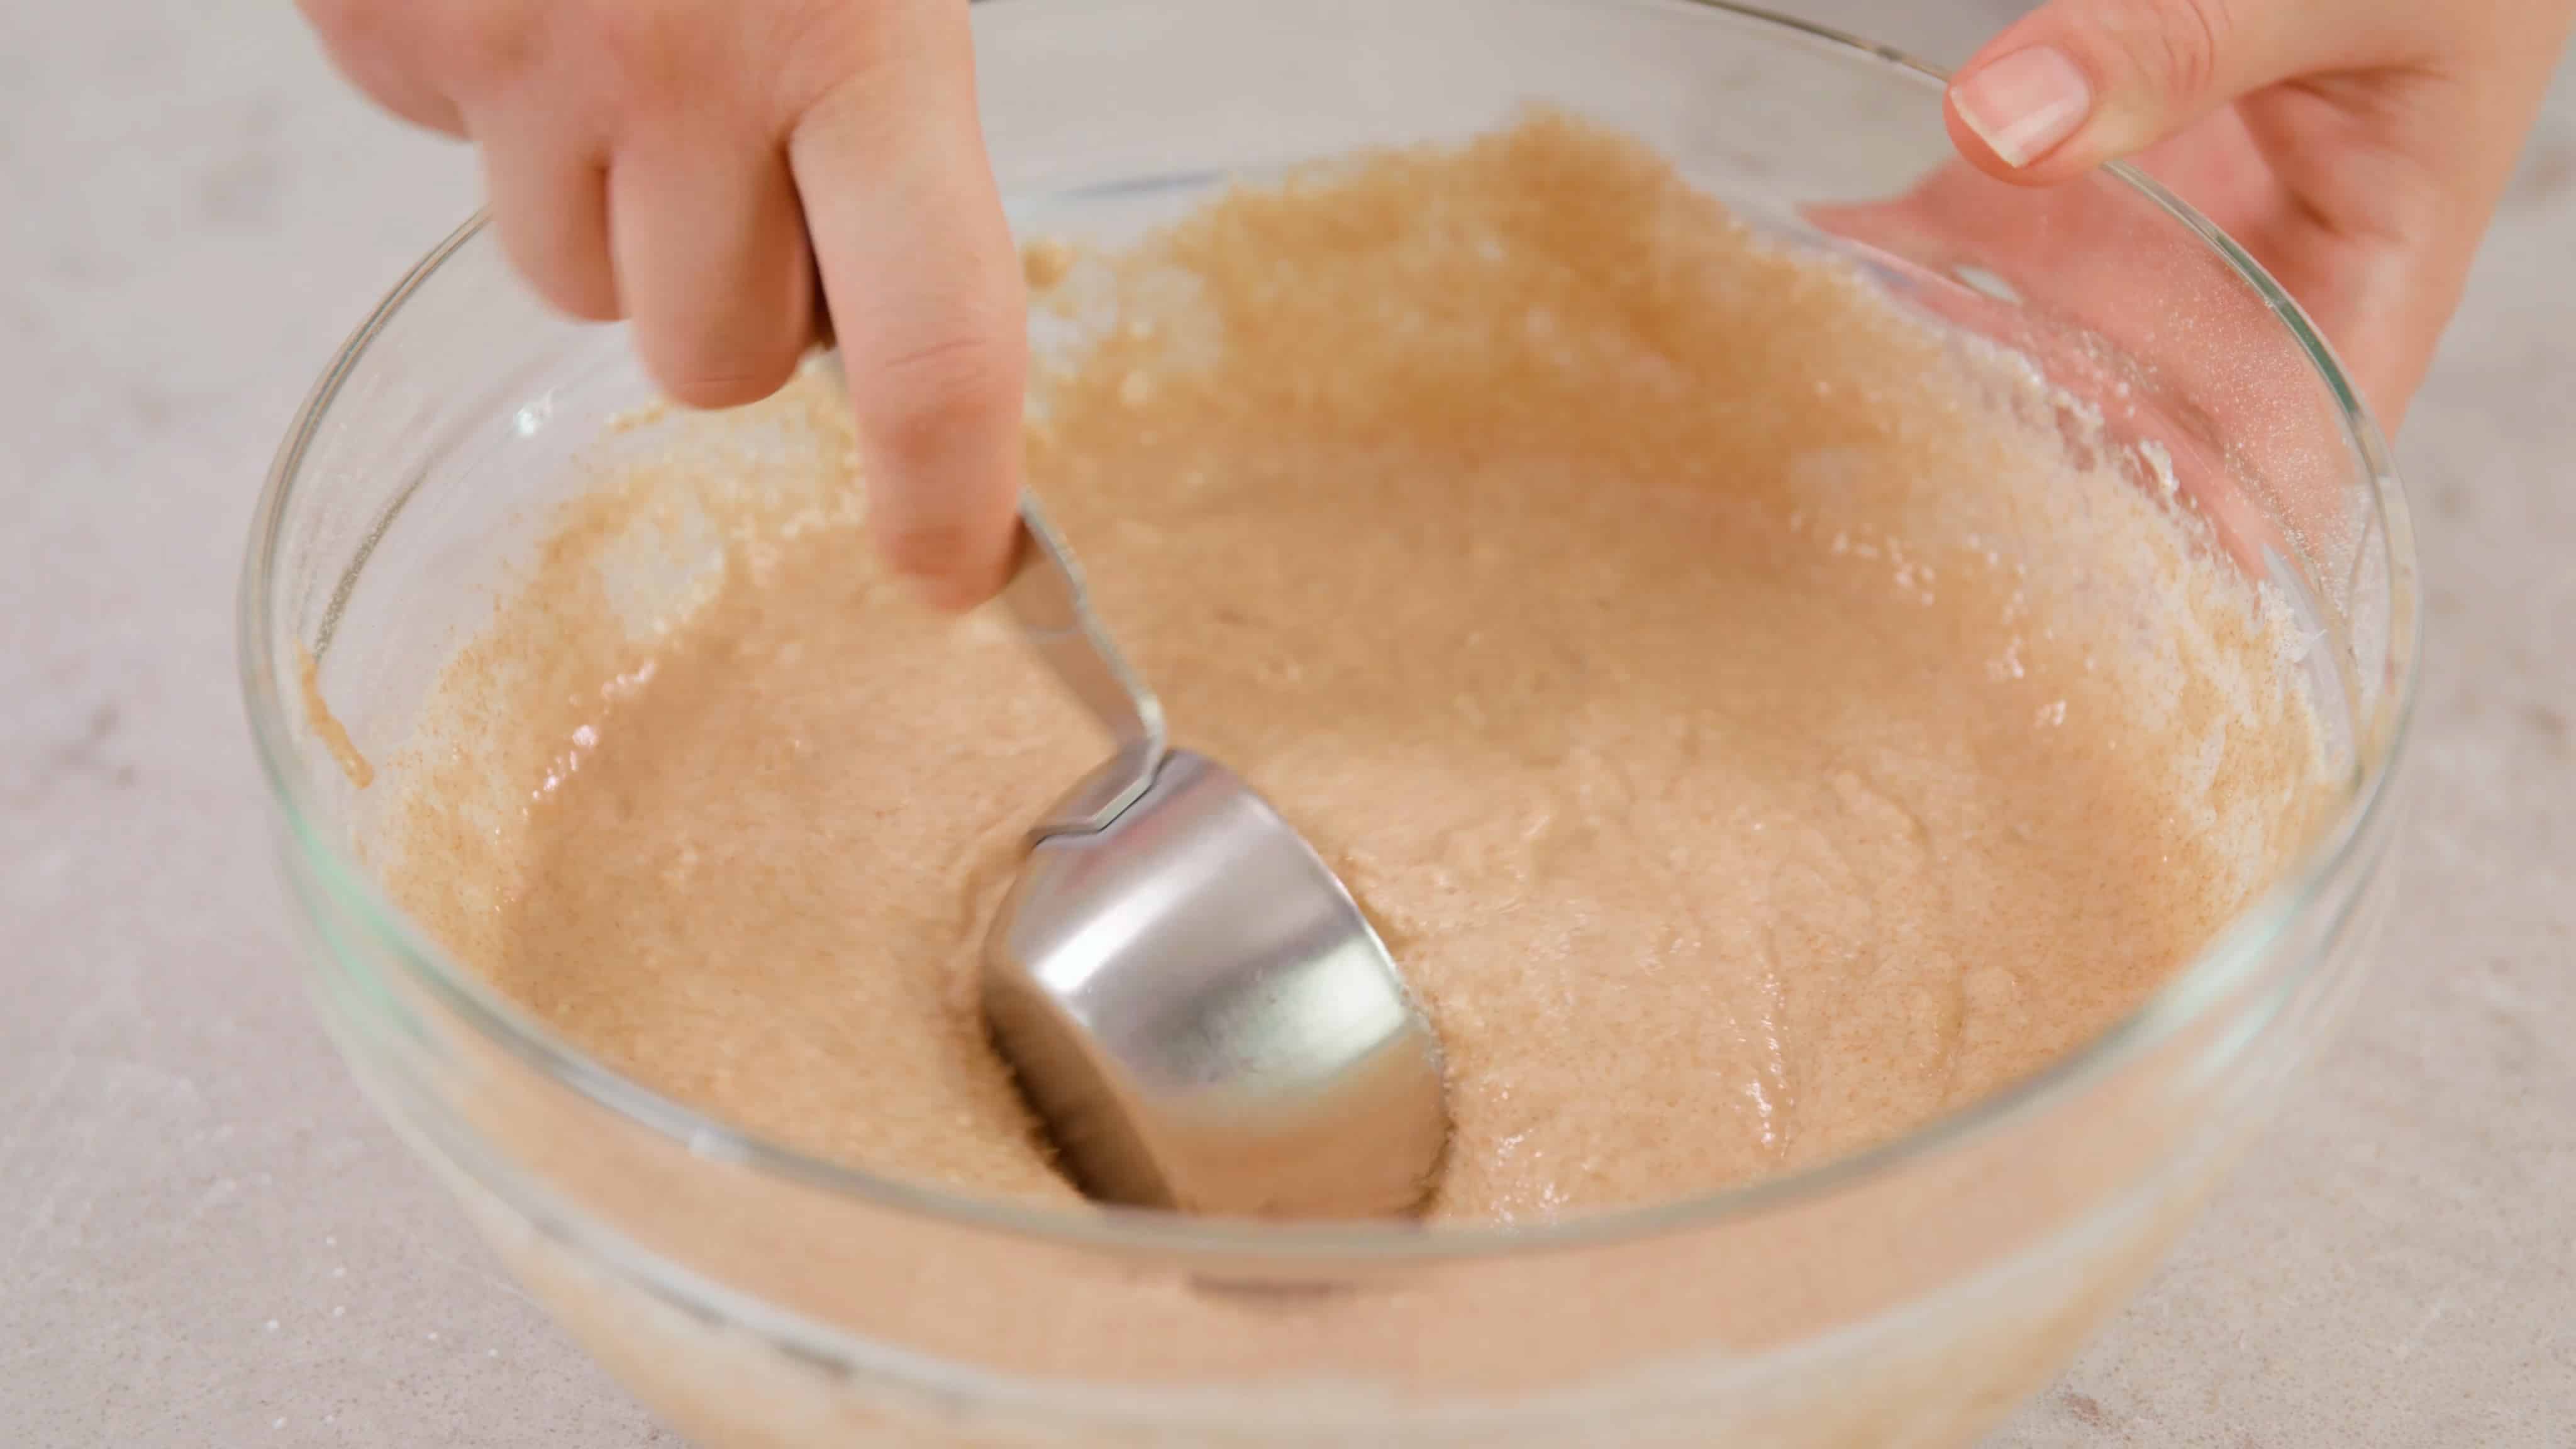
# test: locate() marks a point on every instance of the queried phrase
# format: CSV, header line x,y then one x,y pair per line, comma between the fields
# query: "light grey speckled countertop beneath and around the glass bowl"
x,y
207,1239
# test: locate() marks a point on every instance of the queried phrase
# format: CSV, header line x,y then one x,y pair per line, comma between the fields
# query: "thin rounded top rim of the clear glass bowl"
x,y
2237,955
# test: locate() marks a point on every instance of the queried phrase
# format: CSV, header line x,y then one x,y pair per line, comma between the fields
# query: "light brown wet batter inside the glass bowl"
x,y
1756,718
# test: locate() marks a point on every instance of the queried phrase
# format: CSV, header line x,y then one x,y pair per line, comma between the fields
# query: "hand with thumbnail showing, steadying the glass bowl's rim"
x,y
2358,148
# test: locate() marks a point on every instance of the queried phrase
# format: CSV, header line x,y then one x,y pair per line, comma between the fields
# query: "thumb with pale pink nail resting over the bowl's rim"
x,y
2088,81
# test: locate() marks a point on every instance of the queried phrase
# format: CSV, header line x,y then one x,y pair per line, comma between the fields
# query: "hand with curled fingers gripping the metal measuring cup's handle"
x,y
697,164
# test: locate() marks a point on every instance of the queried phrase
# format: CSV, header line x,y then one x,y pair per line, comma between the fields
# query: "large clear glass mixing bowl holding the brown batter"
x,y
1902,1296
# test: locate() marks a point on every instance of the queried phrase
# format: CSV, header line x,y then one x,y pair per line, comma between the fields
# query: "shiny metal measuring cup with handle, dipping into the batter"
x,y
1189,997
